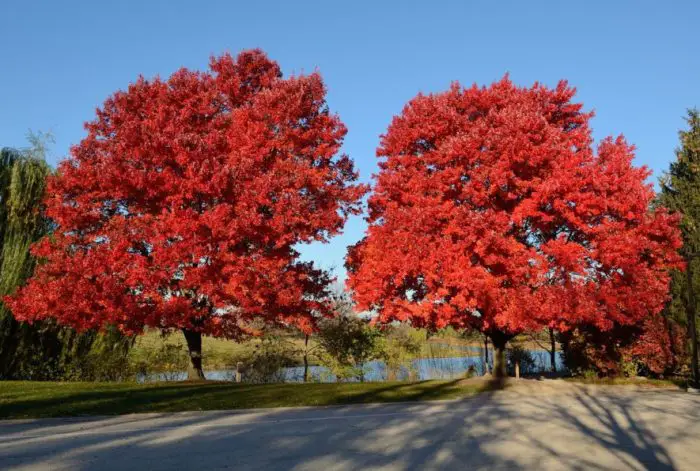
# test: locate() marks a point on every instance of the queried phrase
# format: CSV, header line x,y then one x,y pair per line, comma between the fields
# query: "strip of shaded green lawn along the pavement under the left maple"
x,y
25,399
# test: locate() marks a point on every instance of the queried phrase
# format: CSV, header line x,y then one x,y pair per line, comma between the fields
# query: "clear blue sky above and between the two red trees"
x,y
636,63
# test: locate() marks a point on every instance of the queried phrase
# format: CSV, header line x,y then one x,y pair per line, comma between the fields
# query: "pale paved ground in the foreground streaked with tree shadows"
x,y
535,425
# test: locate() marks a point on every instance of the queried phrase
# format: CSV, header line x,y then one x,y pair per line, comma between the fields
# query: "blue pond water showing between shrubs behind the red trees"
x,y
419,369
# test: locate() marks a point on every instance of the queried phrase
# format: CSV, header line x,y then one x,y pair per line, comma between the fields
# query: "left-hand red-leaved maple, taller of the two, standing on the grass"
x,y
182,206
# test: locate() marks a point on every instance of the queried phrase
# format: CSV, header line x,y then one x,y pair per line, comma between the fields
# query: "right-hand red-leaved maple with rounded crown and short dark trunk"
x,y
492,211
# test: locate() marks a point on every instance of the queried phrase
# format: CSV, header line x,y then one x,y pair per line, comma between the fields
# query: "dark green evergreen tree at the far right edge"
x,y
680,192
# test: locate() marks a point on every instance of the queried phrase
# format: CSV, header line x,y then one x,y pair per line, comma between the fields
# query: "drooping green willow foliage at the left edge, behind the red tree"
x,y
42,350
